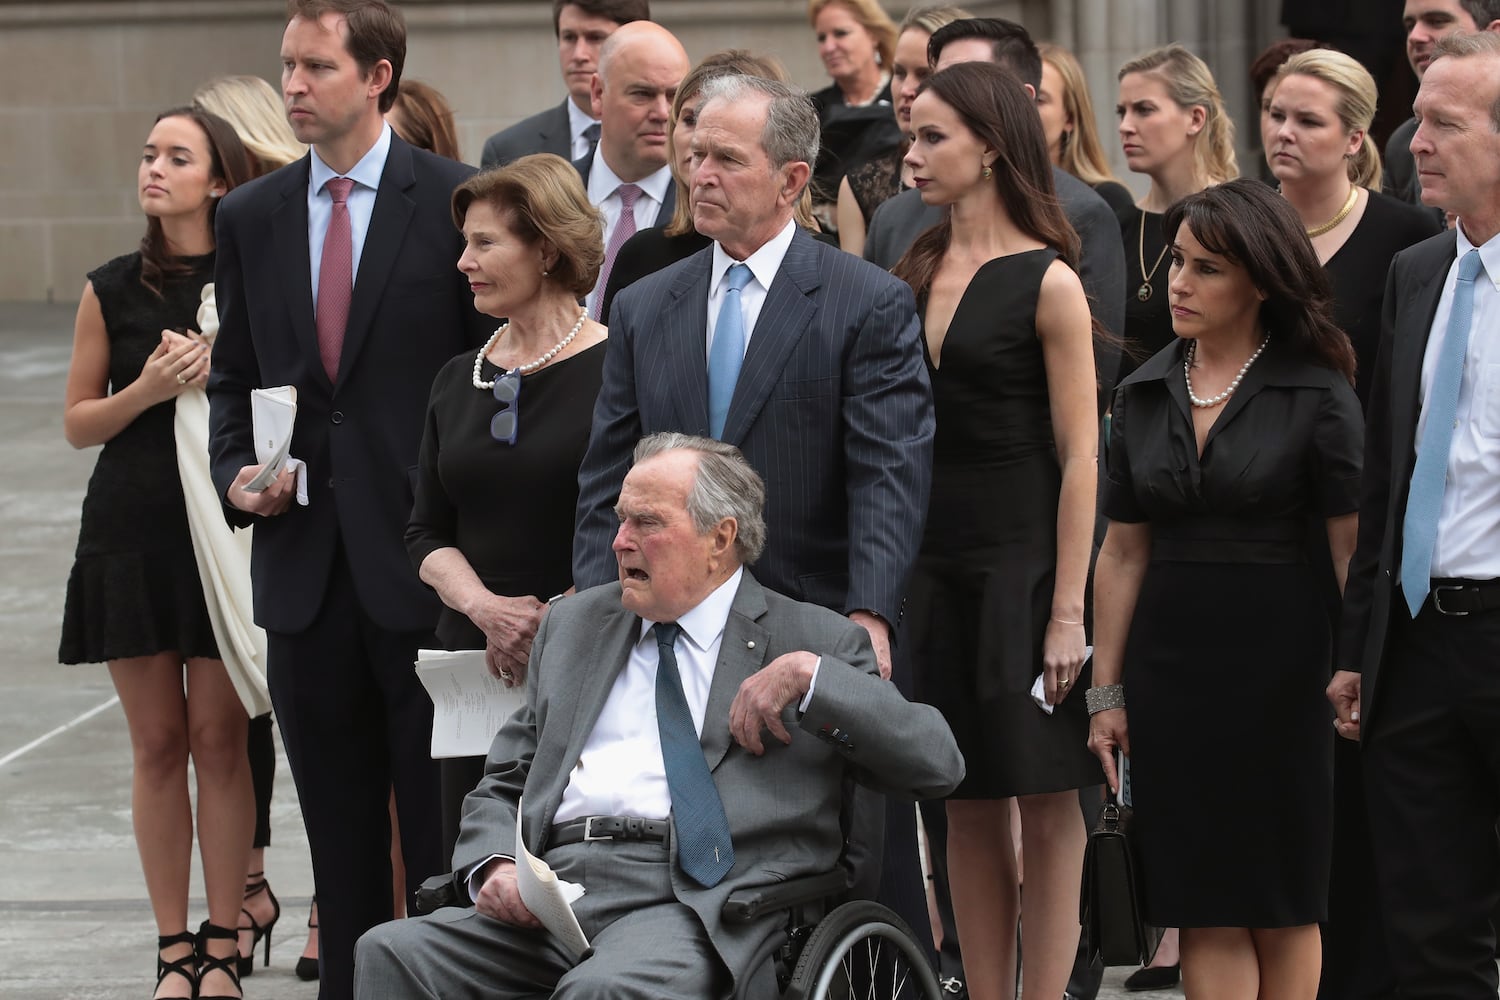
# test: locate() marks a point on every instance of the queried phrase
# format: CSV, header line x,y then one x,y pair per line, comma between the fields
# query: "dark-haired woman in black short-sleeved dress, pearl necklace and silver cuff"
x,y
1213,641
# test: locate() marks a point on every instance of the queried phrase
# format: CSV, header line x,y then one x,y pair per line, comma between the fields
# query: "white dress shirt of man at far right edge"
x,y
1469,527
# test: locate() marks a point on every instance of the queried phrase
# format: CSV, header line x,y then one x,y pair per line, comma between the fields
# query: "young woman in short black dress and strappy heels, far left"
x,y
134,596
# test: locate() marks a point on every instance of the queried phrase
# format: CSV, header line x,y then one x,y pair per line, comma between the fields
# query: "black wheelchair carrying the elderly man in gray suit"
x,y
832,951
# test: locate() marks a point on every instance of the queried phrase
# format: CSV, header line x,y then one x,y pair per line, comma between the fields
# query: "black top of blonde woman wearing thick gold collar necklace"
x,y
1358,272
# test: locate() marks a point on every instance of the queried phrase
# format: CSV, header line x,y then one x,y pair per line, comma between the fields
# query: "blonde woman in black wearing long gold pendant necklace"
x,y
1175,131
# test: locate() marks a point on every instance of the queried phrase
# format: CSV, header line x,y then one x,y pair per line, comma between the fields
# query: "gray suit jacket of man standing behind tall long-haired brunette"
x,y
1102,263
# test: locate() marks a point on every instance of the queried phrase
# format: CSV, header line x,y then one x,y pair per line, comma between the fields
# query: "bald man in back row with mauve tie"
x,y
628,176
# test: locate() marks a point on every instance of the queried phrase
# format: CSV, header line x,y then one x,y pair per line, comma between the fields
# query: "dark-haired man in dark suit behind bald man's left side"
x,y
571,130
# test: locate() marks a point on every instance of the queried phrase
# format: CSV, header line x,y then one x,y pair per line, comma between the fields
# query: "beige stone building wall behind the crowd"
x,y
83,82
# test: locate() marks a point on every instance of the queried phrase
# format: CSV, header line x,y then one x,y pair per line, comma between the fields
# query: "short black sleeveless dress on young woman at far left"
x,y
134,588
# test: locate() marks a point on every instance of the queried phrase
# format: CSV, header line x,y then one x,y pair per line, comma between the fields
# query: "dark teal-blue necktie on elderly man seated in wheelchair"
x,y
703,831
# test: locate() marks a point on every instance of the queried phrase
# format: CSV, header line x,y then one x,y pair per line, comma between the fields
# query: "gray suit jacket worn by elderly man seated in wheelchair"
x,y
784,807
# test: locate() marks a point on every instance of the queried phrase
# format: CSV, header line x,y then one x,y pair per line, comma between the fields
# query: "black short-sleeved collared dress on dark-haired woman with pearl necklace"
x,y
1229,648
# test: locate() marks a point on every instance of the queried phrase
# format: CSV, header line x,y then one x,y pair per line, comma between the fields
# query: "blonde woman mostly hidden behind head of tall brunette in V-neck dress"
x,y
1067,119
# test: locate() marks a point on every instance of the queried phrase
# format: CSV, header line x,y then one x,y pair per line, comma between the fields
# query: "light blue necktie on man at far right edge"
x,y
1430,472
